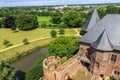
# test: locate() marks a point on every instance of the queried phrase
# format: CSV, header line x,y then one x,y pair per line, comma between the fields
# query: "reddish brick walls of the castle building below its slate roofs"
x,y
102,64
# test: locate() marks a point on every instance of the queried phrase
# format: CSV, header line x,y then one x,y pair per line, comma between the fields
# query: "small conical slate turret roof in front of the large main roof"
x,y
102,43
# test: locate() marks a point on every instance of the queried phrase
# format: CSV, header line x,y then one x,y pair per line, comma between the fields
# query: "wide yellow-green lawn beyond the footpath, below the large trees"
x,y
17,37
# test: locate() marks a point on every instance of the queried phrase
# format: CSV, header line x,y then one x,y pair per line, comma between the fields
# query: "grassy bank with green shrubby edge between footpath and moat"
x,y
17,52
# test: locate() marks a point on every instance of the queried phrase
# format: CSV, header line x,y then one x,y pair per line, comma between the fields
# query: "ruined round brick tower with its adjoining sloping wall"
x,y
54,71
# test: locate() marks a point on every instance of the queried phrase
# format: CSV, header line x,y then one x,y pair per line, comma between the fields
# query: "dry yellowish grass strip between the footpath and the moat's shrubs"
x,y
23,48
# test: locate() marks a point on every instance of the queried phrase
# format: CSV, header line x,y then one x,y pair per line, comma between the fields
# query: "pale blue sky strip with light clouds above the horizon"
x,y
51,2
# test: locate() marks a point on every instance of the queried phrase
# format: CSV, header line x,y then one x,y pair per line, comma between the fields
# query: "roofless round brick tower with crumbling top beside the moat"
x,y
49,66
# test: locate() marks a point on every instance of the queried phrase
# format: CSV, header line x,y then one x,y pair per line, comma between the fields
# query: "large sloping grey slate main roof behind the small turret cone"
x,y
111,24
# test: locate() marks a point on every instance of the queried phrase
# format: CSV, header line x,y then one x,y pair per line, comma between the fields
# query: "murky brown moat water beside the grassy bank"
x,y
23,64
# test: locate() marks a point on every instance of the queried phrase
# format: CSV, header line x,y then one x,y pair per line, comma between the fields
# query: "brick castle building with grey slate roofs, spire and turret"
x,y
100,46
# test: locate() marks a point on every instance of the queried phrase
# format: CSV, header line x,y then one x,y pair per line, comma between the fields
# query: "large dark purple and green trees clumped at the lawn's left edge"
x,y
22,22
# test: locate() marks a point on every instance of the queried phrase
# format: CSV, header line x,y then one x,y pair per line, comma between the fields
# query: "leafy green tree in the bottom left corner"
x,y
6,73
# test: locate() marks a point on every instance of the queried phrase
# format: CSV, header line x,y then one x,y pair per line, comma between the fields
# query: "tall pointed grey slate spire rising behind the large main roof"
x,y
93,19
